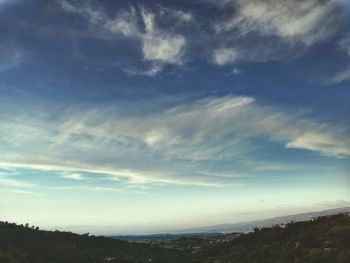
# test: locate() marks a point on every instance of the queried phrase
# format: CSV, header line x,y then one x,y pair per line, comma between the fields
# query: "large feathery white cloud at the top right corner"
x,y
307,22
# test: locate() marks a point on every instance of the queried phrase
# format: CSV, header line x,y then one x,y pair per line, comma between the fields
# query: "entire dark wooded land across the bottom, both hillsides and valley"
x,y
325,239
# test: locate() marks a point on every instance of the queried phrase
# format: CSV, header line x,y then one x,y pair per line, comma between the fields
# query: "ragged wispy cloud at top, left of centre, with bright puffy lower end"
x,y
159,46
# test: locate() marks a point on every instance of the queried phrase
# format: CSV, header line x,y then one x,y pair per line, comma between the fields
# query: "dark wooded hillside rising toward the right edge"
x,y
320,240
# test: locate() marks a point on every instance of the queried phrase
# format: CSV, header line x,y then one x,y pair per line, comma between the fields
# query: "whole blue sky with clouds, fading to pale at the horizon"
x,y
152,116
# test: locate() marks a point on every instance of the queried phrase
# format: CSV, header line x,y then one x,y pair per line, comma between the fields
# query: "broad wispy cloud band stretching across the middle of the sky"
x,y
167,146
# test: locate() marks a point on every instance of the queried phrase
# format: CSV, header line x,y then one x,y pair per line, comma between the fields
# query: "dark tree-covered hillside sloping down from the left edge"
x,y
24,244
